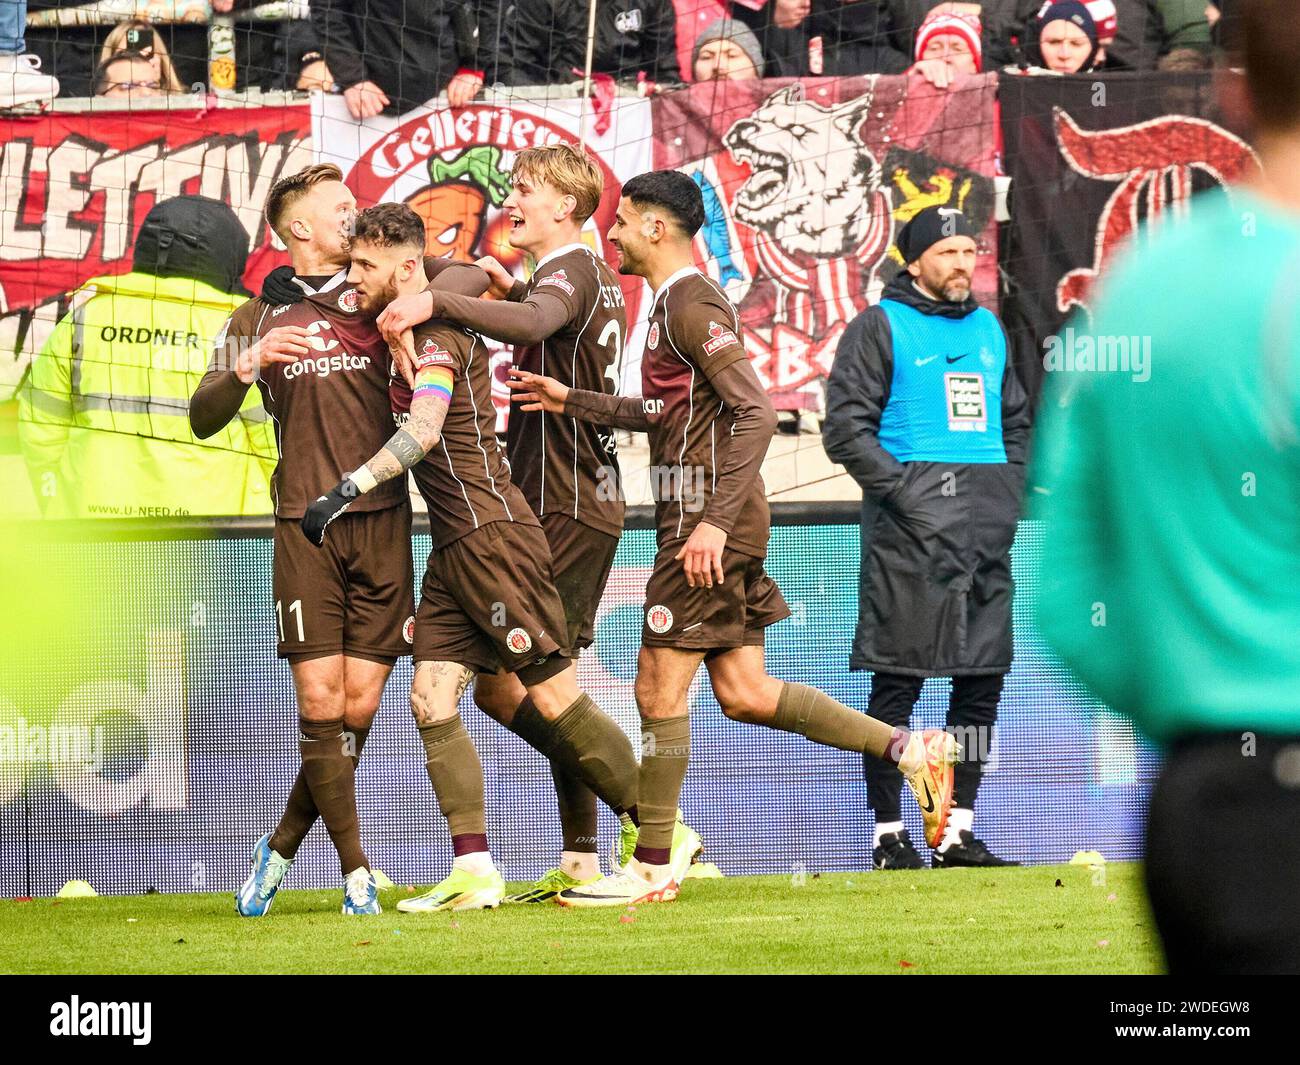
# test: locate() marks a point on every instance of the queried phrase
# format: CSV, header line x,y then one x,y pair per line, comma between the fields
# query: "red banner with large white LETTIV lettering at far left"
x,y
75,191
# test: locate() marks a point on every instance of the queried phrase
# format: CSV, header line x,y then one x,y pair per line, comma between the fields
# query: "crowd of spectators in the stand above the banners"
x,y
387,57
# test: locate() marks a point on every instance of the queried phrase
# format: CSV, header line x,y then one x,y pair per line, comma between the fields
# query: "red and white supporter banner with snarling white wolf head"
x,y
805,189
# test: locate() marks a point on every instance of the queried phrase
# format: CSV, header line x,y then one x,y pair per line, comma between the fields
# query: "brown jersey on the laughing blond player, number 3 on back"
x,y
564,465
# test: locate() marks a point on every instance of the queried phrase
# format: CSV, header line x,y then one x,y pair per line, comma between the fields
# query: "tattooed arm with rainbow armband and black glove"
x,y
406,448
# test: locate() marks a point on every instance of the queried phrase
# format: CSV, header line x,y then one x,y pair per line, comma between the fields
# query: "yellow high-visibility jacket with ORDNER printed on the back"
x,y
105,421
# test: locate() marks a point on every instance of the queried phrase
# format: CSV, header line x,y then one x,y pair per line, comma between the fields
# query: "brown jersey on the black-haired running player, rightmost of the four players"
x,y
695,335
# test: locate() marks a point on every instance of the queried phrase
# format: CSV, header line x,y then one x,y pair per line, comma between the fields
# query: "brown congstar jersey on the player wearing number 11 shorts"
x,y
331,408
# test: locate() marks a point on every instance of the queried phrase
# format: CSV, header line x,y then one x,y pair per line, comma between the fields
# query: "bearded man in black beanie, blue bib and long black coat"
x,y
926,415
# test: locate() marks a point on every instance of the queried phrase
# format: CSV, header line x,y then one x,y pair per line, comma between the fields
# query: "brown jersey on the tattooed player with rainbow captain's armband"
x,y
465,479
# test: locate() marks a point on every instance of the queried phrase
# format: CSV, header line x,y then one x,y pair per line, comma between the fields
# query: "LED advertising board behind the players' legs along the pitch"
x,y
162,733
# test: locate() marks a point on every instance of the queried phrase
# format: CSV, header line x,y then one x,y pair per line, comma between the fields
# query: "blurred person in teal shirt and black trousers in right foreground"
x,y
1171,572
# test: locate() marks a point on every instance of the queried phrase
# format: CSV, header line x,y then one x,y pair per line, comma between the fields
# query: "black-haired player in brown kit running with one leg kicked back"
x,y
709,599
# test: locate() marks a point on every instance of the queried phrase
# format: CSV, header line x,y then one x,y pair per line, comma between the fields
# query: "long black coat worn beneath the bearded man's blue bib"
x,y
935,588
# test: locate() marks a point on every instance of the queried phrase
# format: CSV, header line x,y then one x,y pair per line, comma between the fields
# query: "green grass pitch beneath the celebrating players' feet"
x,y
933,921
